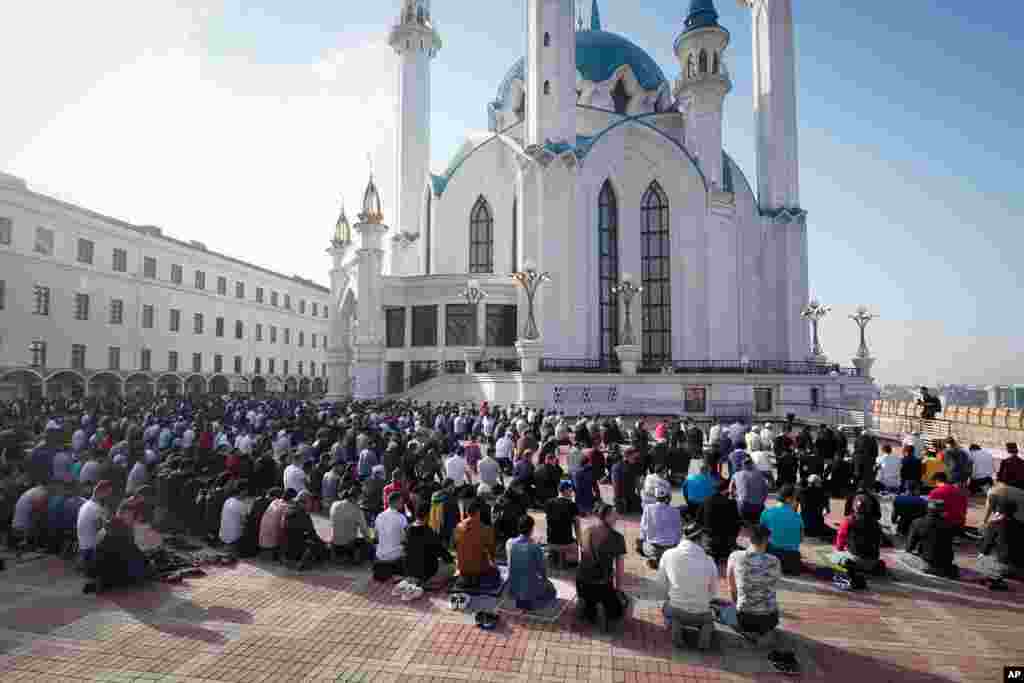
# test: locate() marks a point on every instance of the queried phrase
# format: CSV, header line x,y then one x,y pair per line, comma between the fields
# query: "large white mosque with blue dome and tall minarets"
x,y
598,178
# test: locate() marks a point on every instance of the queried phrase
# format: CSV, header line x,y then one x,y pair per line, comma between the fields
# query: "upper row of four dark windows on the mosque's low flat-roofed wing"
x,y
460,326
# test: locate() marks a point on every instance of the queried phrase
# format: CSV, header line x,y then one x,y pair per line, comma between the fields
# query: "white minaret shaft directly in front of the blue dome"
x,y
551,96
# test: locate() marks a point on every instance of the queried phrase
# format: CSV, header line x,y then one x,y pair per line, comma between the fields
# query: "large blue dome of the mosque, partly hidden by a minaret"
x,y
600,54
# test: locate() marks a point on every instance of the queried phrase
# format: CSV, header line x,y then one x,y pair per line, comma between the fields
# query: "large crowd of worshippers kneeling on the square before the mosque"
x,y
441,494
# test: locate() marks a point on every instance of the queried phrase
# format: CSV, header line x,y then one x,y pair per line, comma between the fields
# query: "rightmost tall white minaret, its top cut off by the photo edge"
x,y
776,104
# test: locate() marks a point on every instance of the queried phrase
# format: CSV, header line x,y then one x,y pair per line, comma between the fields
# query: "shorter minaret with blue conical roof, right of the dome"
x,y
704,86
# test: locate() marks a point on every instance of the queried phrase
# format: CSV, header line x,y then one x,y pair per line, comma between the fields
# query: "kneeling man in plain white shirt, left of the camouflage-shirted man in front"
x,y
691,578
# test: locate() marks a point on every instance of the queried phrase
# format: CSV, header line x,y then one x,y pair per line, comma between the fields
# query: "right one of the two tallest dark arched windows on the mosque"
x,y
656,264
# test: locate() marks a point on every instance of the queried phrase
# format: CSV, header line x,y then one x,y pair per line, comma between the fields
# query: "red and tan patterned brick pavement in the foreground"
x,y
260,622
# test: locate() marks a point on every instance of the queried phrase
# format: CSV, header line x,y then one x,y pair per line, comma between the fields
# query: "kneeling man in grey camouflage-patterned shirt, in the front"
x,y
753,577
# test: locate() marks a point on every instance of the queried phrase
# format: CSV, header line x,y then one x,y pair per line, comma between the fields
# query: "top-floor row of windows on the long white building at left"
x,y
87,254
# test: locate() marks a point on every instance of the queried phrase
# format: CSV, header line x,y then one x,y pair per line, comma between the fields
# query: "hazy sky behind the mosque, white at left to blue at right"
x,y
245,124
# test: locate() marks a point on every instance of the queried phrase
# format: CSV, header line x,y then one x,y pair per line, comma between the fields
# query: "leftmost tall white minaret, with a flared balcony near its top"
x,y
416,42
